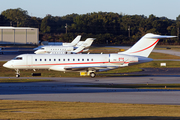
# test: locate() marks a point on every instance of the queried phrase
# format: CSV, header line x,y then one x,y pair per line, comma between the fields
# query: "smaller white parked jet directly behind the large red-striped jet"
x,y
65,49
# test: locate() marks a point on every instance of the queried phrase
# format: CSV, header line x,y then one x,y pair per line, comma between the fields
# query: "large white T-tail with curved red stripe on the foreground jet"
x,y
145,45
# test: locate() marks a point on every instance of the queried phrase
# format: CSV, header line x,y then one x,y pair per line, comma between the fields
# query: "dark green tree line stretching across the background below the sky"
x,y
107,27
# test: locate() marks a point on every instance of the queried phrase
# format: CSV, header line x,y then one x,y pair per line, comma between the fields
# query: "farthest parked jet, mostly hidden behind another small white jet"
x,y
73,43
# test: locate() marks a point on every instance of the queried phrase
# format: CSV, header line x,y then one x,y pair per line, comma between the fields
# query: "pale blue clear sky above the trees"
x,y
40,8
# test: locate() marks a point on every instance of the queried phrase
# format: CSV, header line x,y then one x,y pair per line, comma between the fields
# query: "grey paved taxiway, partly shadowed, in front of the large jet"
x,y
66,89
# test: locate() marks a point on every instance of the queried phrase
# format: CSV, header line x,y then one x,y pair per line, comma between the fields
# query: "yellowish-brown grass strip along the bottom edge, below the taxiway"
x,y
14,109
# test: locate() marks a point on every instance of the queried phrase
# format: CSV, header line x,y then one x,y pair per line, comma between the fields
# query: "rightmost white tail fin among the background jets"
x,y
87,43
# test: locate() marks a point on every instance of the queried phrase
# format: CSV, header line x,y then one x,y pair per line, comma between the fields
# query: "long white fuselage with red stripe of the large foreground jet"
x,y
96,62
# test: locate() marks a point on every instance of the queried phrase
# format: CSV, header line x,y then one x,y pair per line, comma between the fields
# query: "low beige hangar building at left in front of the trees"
x,y
19,35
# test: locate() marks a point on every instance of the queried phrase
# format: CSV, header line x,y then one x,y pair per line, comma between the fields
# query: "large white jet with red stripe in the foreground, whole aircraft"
x,y
89,63
